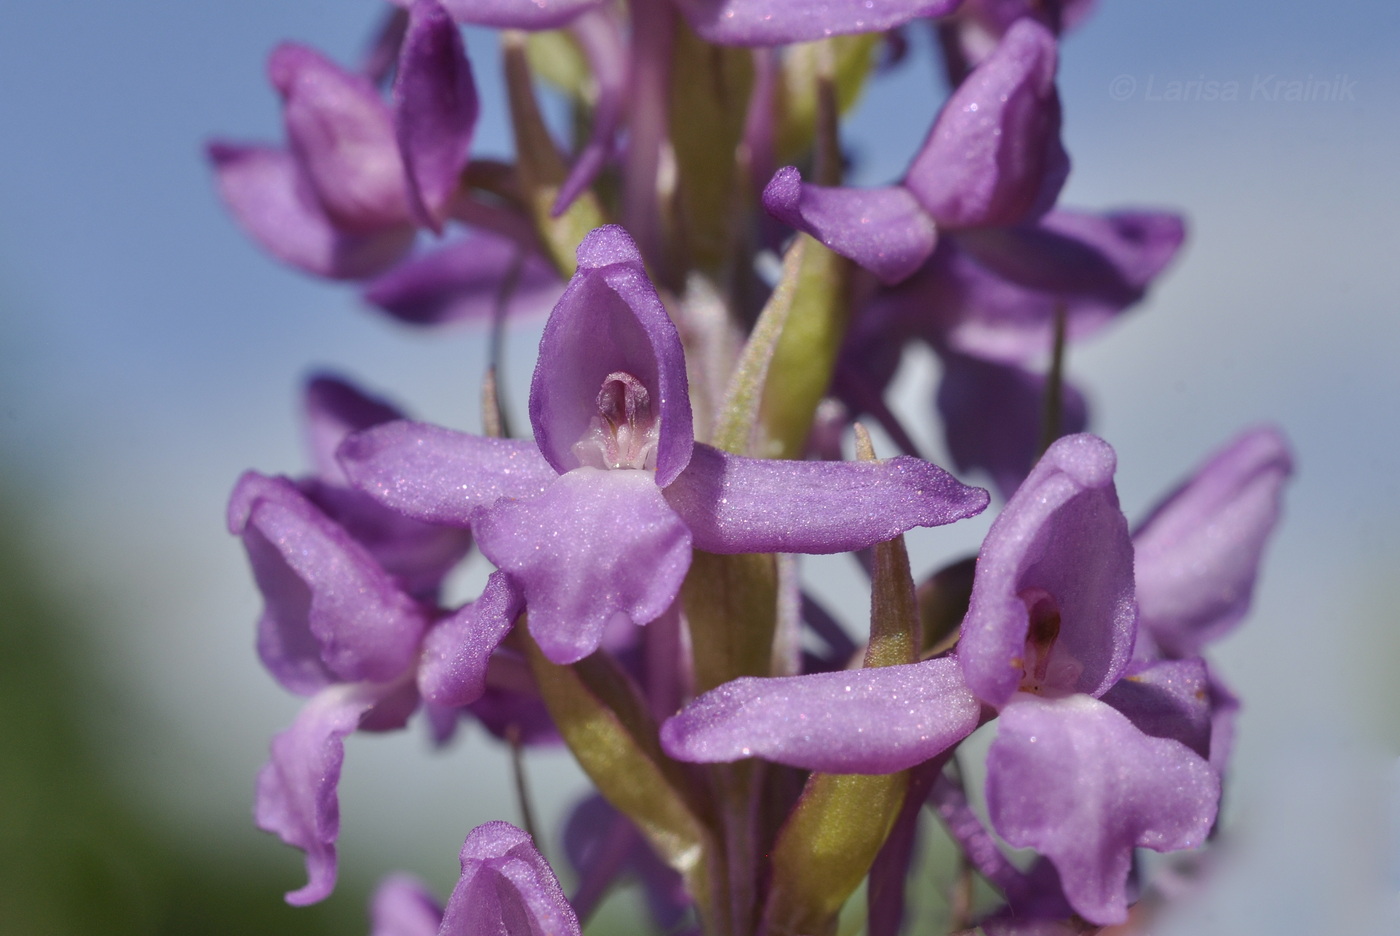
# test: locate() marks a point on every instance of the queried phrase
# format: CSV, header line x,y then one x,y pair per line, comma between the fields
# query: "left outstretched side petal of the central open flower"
x,y
442,476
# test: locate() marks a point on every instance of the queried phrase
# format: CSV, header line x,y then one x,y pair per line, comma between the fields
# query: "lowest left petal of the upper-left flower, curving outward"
x,y
272,202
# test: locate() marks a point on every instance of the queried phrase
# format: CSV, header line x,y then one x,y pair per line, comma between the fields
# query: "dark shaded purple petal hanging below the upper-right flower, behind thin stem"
x,y
995,418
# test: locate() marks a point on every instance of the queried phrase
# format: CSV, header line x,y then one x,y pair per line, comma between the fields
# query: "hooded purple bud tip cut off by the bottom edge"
x,y
506,889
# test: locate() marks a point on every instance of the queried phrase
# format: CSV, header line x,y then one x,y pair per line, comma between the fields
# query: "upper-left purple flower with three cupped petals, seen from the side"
x,y
346,197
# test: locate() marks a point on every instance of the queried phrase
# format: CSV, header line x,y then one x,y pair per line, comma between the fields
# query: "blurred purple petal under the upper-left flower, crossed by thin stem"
x,y
467,282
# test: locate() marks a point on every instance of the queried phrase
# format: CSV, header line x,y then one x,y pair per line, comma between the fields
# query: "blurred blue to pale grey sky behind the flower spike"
x,y
149,353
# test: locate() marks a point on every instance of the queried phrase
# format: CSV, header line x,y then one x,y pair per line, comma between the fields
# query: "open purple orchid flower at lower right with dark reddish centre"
x,y
1083,772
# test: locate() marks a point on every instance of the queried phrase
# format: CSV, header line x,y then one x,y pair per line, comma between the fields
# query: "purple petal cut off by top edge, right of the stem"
x,y
769,23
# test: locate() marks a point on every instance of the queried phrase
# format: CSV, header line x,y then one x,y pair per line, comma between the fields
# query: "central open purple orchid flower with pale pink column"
x,y
594,523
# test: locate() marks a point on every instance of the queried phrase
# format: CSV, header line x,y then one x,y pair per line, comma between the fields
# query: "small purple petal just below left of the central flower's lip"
x,y
458,648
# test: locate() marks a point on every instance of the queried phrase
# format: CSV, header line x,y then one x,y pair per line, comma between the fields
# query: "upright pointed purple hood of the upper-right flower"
x,y
995,156
